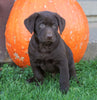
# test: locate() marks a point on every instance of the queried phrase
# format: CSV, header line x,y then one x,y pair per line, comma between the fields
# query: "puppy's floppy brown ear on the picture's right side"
x,y
61,23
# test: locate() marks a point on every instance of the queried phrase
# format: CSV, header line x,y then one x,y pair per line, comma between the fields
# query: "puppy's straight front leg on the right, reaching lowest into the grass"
x,y
64,76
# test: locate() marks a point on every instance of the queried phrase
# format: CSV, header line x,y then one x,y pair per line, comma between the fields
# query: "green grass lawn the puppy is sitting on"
x,y
13,84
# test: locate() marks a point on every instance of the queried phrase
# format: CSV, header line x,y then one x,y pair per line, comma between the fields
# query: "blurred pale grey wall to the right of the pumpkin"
x,y
90,9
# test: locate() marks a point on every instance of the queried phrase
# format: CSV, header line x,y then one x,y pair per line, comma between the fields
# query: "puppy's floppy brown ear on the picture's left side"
x,y
30,21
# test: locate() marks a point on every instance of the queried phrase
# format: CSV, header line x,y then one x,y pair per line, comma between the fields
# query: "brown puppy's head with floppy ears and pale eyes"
x,y
45,26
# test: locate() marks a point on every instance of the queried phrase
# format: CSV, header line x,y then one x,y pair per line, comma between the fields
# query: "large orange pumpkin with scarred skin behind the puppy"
x,y
76,32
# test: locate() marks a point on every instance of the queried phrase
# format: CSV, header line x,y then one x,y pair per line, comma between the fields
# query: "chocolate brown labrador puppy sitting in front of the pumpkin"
x,y
47,51
